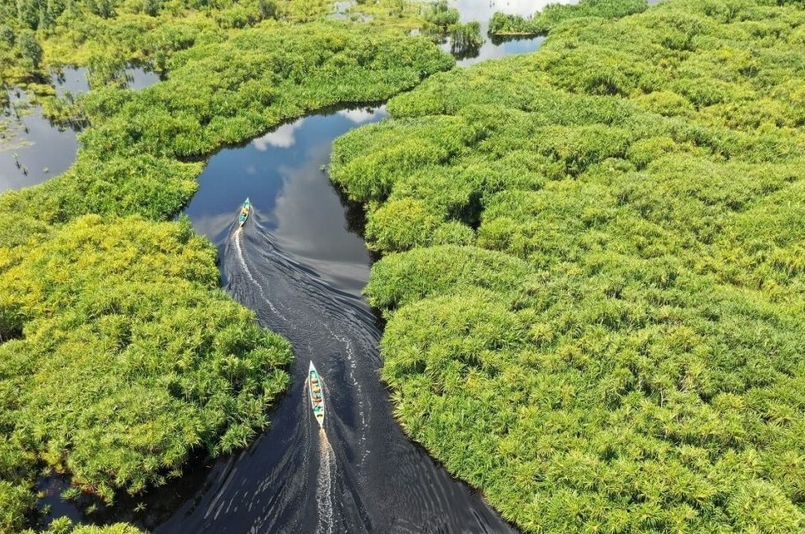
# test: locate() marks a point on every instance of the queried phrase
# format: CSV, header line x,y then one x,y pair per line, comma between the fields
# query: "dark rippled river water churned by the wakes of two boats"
x,y
362,475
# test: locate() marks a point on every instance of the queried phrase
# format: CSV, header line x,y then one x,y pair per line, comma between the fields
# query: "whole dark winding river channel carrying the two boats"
x,y
300,263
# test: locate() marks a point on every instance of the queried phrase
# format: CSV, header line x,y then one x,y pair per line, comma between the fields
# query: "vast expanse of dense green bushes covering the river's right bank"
x,y
594,277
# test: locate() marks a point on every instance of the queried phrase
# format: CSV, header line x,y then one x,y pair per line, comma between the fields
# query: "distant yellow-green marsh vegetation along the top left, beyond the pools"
x,y
107,34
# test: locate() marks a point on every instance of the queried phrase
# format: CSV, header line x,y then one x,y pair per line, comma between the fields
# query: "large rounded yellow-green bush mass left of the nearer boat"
x,y
128,355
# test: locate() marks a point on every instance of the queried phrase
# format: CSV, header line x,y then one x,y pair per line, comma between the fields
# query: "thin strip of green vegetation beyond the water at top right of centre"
x,y
555,14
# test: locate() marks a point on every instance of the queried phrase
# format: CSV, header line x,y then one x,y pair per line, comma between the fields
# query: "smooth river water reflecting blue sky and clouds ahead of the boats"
x,y
281,173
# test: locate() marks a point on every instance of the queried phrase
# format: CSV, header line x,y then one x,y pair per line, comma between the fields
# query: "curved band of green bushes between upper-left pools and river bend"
x,y
134,159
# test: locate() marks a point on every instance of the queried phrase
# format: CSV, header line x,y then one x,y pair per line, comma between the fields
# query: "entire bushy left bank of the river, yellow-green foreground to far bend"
x,y
118,353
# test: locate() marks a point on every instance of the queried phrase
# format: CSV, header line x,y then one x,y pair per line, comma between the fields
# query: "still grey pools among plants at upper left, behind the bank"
x,y
44,149
